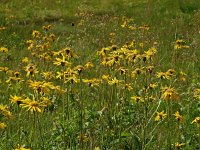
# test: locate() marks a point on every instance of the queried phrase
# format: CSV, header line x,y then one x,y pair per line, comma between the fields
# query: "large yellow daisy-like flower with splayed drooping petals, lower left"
x,y
32,105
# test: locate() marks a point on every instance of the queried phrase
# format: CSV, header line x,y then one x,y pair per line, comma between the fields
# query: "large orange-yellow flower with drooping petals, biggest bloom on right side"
x,y
169,93
